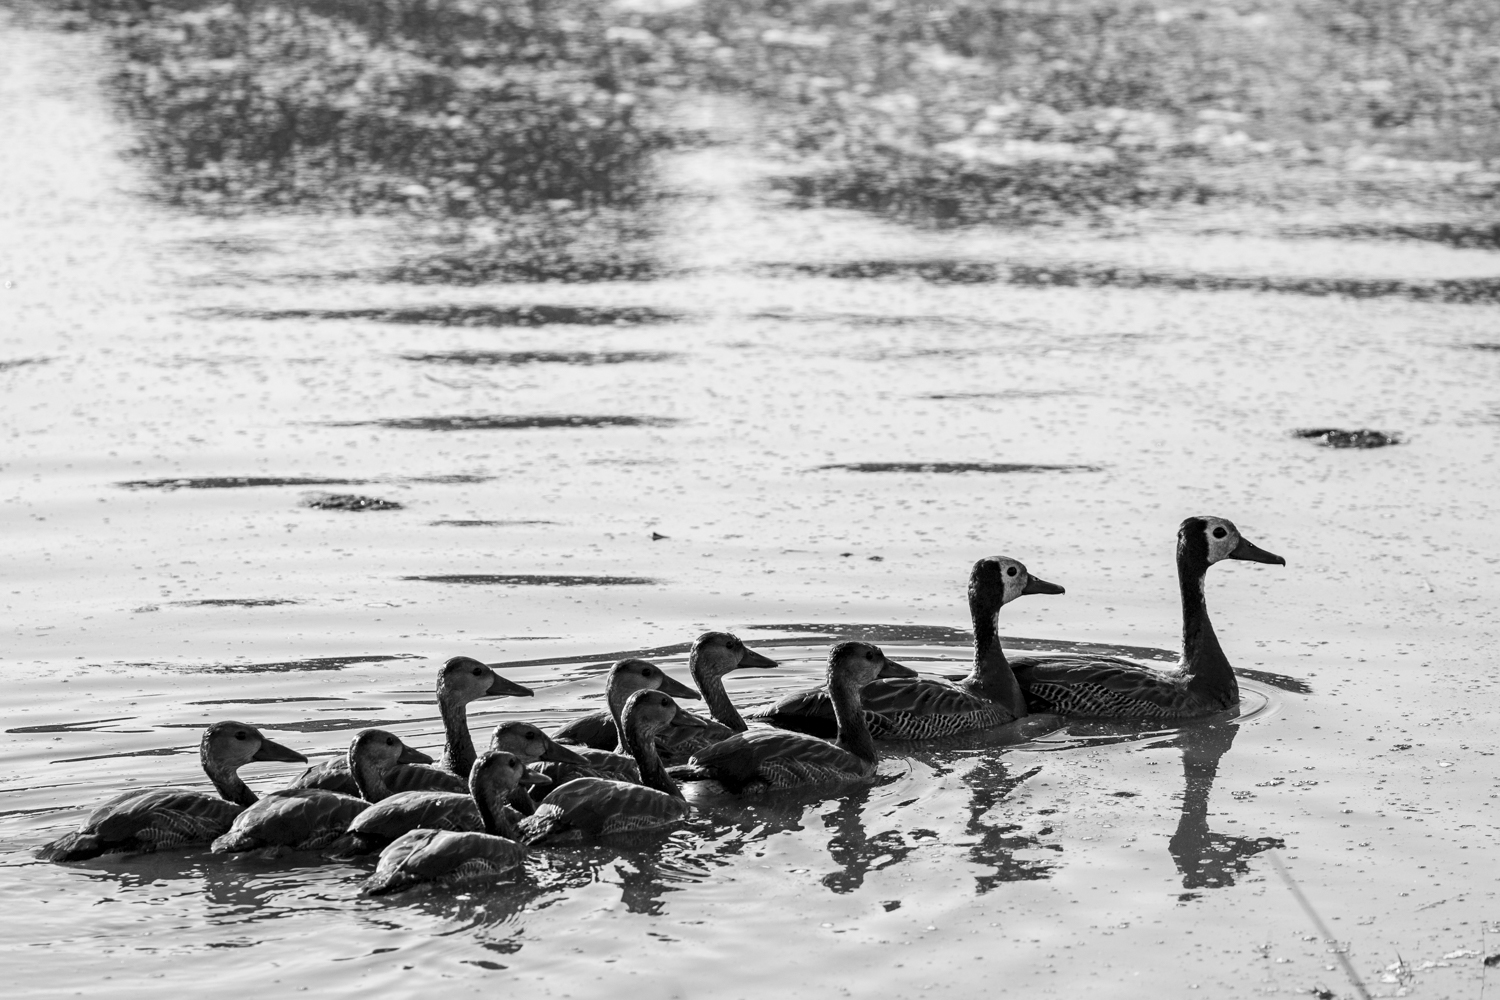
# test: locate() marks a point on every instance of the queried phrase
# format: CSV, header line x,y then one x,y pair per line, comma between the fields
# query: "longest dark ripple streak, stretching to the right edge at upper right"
x,y
1457,290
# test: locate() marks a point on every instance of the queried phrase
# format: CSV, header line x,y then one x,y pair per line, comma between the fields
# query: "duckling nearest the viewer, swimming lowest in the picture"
x,y
445,857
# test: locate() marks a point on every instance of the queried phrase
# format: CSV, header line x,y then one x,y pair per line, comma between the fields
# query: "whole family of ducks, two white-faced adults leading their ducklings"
x,y
620,770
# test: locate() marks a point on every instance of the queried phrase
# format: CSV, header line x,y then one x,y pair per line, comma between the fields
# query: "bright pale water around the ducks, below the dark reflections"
x,y
773,445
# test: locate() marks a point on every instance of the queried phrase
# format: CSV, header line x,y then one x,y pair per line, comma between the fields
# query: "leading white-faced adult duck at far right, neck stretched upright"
x,y
1109,687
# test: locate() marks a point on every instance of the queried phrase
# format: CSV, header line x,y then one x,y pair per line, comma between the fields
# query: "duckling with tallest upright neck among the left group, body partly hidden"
x,y
463,680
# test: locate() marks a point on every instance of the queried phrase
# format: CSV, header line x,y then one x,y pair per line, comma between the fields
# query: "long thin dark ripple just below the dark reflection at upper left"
x,y
466,316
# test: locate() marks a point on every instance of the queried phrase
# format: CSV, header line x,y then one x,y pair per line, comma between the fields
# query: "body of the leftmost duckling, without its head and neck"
x,y
145,821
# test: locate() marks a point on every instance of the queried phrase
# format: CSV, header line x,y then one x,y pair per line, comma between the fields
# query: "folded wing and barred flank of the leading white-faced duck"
x,y
1103,687
